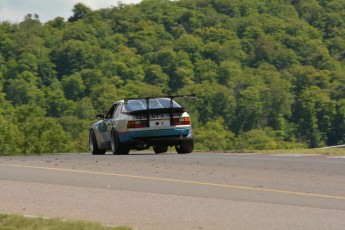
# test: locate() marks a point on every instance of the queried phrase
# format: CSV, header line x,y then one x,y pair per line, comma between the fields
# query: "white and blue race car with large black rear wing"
x,y
141,123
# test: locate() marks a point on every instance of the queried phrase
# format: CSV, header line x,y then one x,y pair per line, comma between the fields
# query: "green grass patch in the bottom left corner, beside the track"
x,y
17,222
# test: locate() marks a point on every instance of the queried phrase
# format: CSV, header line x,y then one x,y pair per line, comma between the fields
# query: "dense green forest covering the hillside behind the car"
x,y
267,74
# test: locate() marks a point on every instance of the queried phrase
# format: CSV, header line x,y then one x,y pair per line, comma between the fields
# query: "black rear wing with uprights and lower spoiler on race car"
x,y
171,110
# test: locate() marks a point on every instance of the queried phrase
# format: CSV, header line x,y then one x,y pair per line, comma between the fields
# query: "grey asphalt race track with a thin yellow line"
x,y
172,191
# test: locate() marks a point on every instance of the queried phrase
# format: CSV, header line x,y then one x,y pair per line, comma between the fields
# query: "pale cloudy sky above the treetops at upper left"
x,y
15,10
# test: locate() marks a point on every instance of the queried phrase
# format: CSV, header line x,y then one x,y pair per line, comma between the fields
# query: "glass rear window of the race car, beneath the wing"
x,y
156,103
